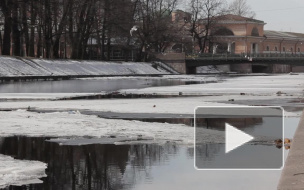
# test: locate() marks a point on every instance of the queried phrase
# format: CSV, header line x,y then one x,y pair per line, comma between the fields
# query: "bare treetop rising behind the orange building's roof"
x,y
241,8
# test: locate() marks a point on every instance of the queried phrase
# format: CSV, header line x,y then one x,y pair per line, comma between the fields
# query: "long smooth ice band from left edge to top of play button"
x,y
183,105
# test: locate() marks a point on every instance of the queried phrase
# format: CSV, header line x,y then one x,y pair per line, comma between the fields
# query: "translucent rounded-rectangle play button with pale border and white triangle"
x,y
238,138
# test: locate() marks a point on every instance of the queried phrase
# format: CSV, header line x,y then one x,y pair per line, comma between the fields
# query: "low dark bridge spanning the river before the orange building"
x,y
246,63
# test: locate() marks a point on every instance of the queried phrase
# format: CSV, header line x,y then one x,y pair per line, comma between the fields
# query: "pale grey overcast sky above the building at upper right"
x,y
280,15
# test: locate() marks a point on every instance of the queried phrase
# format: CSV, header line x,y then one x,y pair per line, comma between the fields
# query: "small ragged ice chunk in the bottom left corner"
x,y
20,172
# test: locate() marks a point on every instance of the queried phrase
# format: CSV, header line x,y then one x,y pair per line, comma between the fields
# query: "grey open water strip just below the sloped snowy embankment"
x,y
87,85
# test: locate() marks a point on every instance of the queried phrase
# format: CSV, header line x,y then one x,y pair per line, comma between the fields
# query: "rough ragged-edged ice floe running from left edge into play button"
x,y
71,124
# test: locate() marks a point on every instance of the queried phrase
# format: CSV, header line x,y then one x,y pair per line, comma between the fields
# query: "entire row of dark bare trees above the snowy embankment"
x,y
44,28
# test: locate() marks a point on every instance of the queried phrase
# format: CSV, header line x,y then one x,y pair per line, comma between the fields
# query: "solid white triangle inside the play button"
x,y
235,138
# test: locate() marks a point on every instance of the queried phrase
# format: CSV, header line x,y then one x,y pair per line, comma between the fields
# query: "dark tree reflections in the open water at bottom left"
x,y
88,167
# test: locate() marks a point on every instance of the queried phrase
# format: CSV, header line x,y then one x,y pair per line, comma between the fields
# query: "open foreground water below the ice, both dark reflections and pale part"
x,y
145,166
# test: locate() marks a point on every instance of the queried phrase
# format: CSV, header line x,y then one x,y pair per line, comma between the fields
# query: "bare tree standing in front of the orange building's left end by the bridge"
x,y
205,14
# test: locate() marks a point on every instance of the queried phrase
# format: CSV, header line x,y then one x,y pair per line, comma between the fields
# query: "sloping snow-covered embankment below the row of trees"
x,y
10,66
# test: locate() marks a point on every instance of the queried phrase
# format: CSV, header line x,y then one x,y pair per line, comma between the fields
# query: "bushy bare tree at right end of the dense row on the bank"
x,y
153,18
